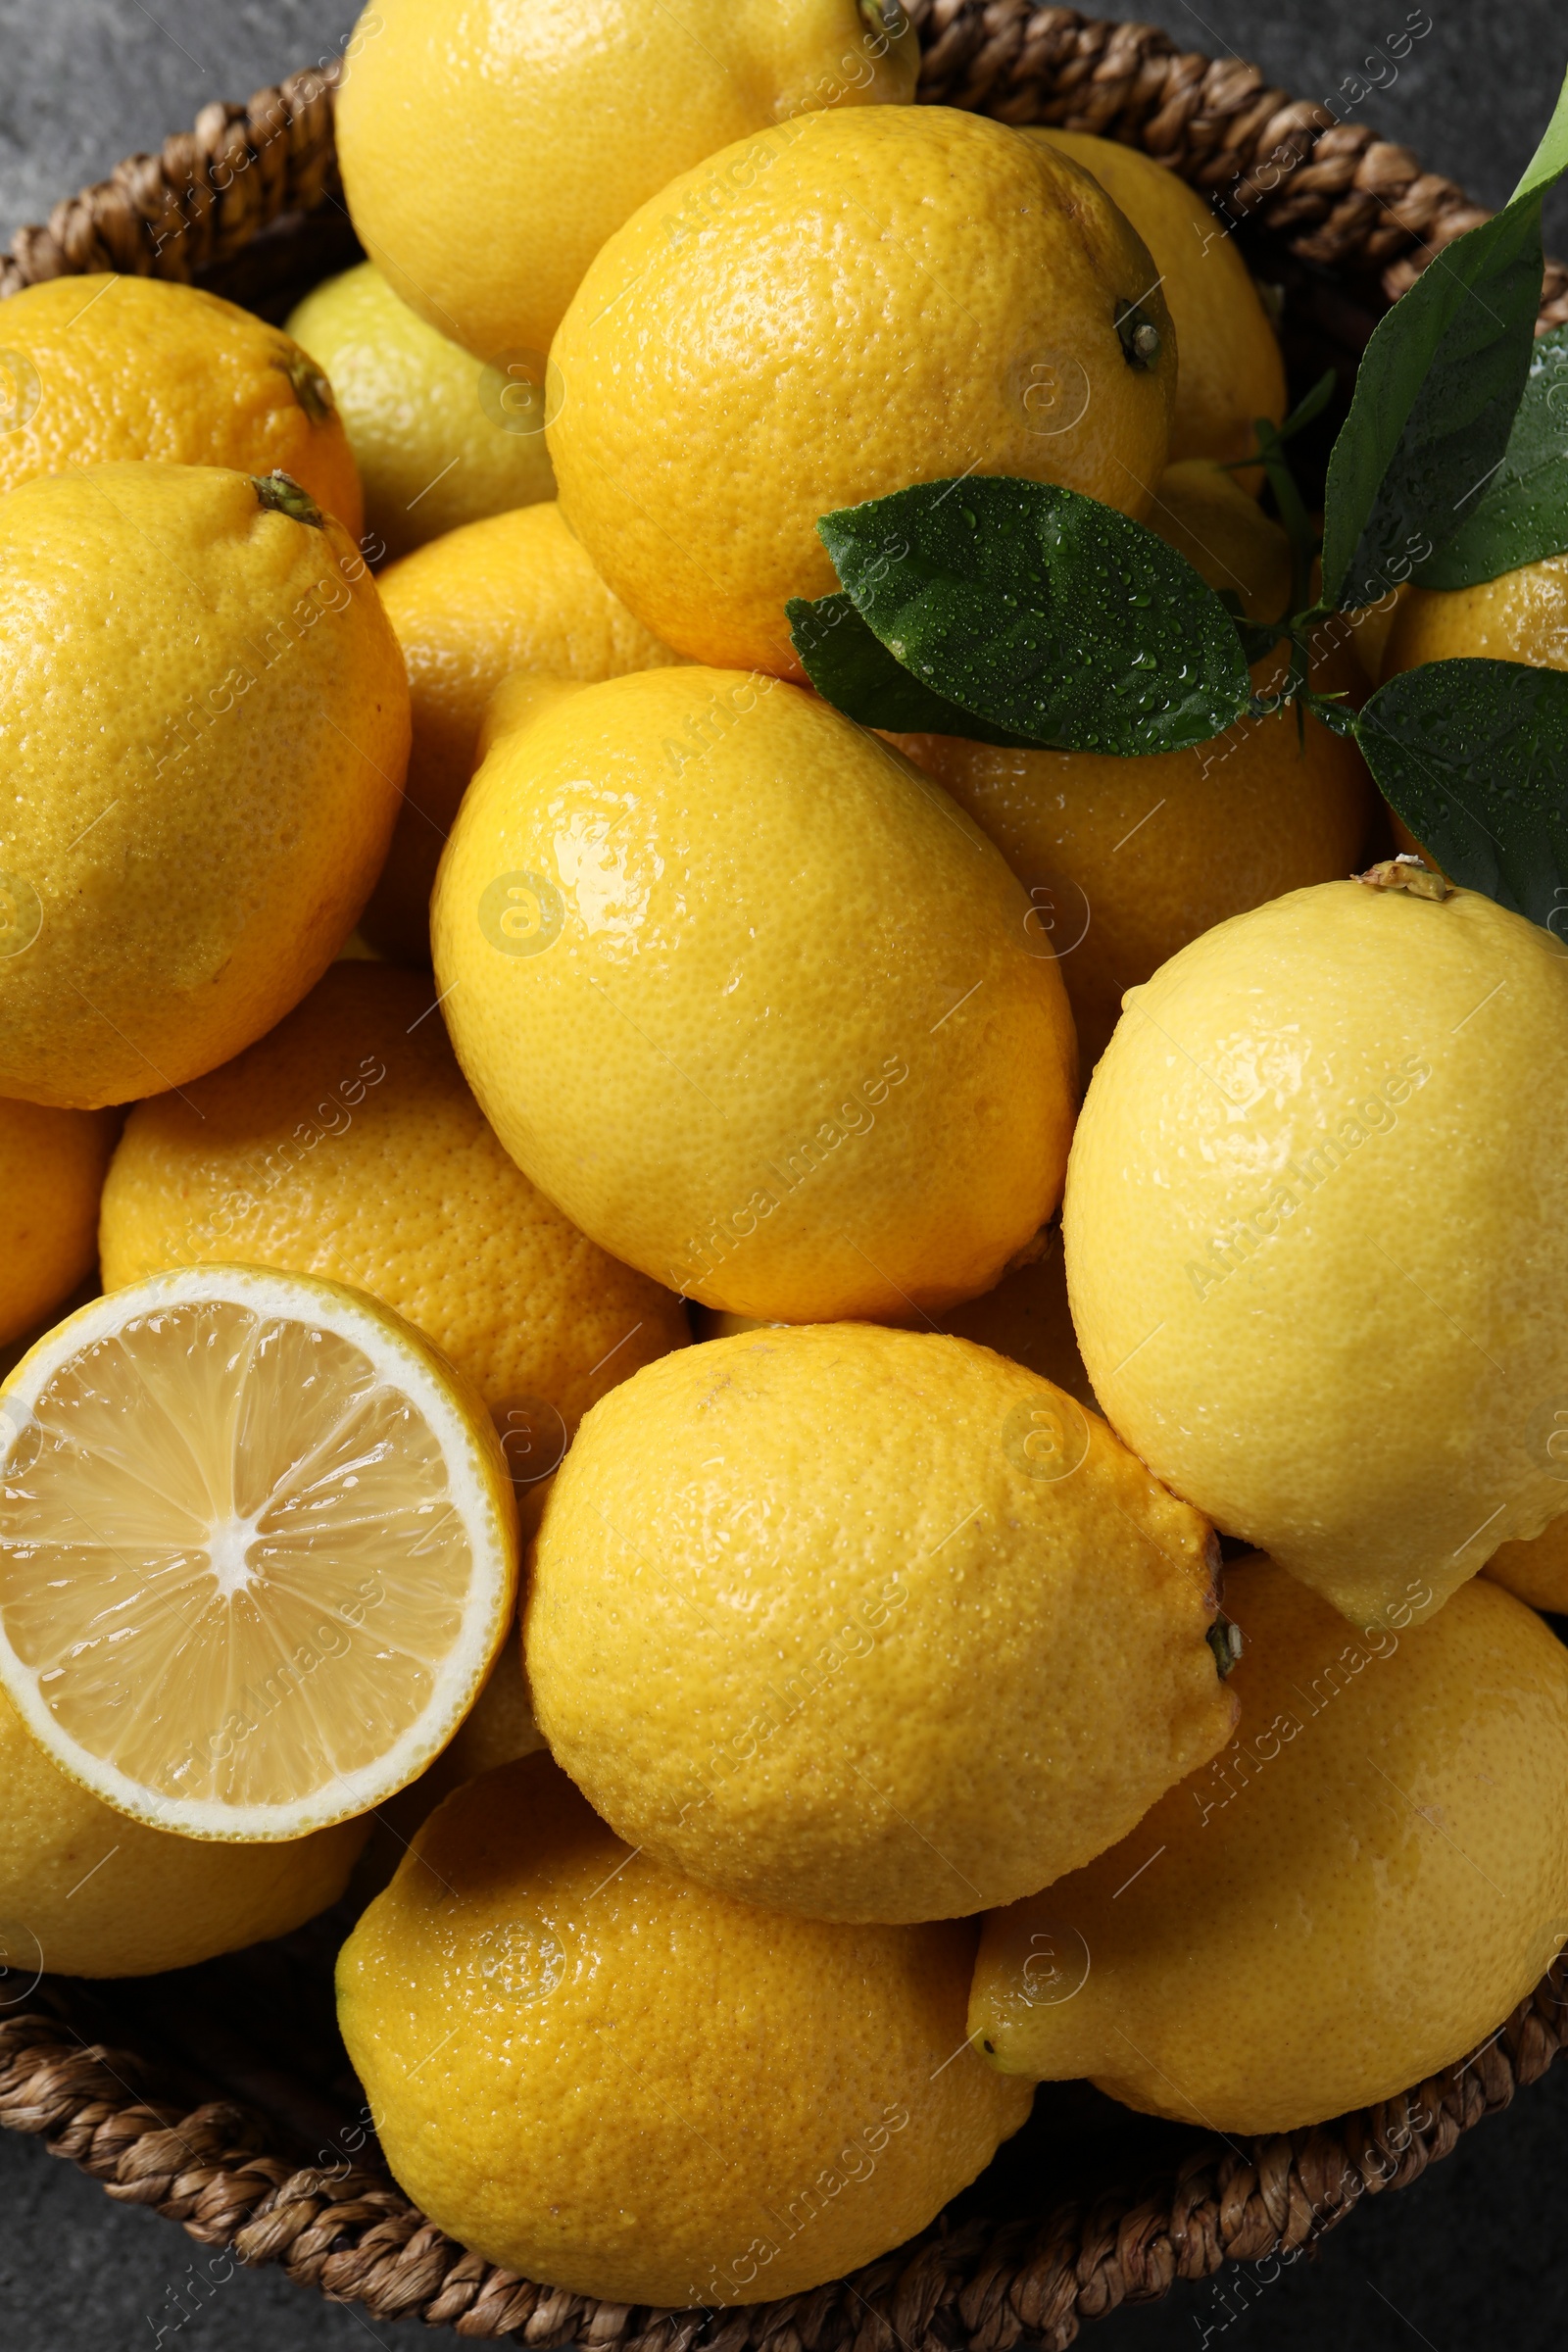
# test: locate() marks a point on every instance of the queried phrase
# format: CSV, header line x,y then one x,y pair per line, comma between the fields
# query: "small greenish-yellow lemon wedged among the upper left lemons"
x,y
438,439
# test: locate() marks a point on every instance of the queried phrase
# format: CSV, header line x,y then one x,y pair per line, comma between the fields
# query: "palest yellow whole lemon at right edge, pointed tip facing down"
x,y
1315,1217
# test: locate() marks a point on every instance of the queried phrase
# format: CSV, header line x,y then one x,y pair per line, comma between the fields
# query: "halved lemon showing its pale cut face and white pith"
x,y
257,1551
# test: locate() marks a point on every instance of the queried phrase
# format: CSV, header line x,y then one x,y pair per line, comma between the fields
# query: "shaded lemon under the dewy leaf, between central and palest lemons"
x,y
1130,860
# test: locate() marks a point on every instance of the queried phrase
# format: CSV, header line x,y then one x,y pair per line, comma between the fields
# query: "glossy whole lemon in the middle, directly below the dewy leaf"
x,y
751,1001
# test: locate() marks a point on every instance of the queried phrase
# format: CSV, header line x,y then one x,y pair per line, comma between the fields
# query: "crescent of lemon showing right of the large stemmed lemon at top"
x,y
1233,368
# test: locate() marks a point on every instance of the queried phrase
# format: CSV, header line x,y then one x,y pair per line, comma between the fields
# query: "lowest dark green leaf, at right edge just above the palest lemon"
x,y
1475,759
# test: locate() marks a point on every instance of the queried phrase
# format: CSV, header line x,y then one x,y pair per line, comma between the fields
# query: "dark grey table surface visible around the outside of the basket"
x,y
1477,2252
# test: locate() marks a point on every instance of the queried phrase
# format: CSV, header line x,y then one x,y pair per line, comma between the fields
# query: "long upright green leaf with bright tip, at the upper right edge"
x,y
1438,392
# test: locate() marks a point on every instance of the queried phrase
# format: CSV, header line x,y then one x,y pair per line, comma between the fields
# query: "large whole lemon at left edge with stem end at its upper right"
x,y
206,723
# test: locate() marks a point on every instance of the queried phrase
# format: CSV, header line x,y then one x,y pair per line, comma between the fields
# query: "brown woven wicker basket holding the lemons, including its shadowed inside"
x,y
253,2134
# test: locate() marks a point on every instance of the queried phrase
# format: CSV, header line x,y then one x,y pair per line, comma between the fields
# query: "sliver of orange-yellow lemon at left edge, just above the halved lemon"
x,y
51,1177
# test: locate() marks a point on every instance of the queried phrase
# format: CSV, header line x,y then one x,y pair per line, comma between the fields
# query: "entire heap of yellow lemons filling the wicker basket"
x,y
634,1316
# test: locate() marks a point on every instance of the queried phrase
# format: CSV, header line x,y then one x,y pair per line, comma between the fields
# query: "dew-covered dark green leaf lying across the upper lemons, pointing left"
x,y
1047,615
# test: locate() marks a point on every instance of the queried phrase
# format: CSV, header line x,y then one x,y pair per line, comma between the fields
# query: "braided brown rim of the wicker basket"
x,y
1343,201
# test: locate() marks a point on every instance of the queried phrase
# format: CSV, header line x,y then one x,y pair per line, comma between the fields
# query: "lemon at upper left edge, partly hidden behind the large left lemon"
x,y
135,368
